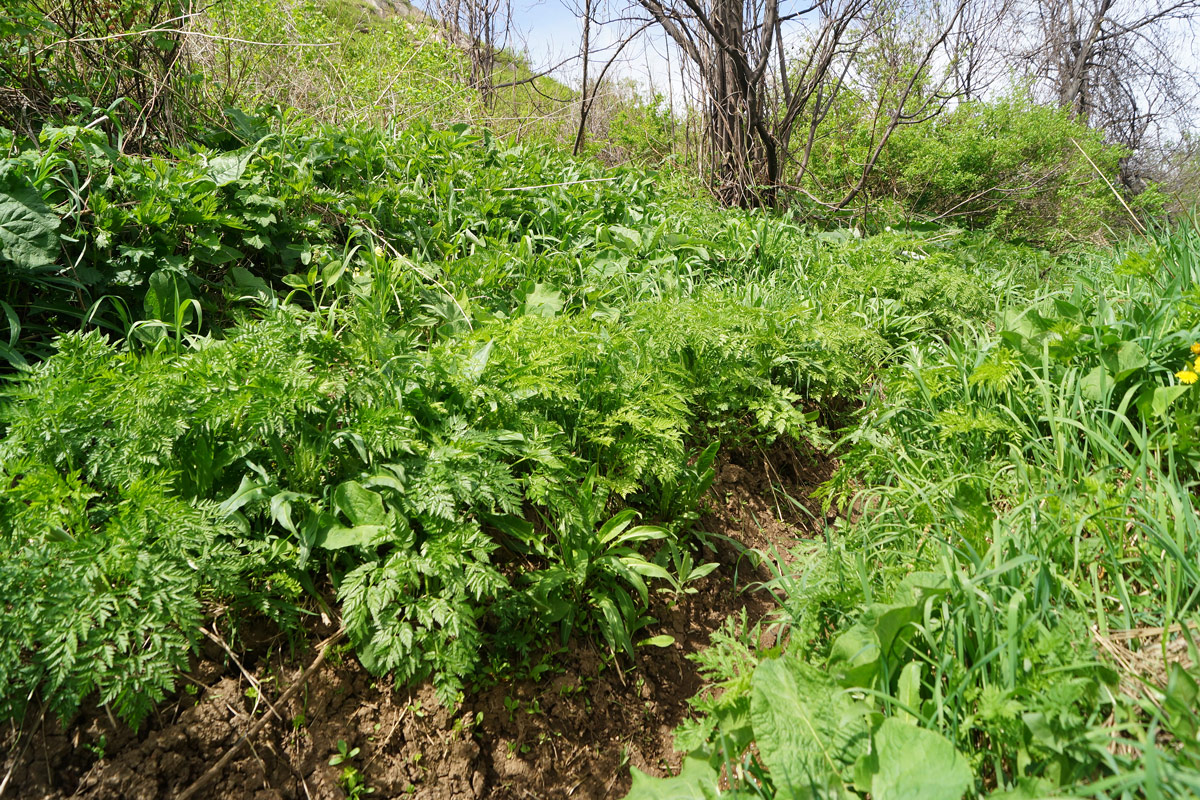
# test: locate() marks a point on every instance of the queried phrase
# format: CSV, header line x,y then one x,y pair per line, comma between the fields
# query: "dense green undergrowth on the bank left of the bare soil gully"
x,y
430,376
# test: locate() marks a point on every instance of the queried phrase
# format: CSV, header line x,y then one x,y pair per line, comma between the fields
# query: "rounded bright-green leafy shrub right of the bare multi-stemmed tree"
x,y
1010,166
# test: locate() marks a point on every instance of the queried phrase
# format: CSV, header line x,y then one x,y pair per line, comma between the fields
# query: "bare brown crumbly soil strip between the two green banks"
x,y
573,733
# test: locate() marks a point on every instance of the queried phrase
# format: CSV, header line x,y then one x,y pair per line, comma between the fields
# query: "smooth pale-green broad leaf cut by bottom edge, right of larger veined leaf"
x,y
917,765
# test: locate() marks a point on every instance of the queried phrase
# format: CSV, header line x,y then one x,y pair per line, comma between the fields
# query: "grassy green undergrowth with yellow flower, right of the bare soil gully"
x,y
1023,494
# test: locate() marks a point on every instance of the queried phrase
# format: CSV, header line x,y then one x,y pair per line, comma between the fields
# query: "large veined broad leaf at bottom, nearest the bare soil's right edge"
x,y
808,729
